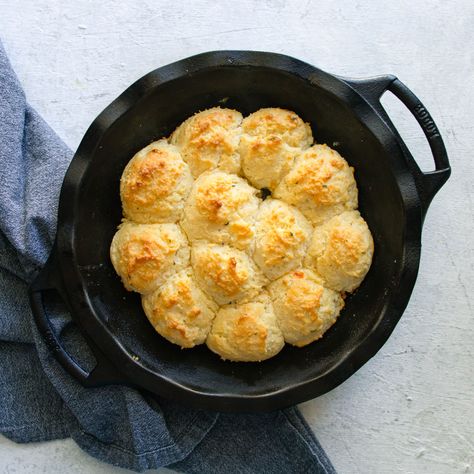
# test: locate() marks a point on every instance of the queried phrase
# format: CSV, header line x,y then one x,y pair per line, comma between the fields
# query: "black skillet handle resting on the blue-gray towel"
x,y
48,279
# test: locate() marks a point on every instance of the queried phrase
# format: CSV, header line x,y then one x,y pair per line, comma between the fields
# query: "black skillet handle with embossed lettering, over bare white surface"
x,y
428,183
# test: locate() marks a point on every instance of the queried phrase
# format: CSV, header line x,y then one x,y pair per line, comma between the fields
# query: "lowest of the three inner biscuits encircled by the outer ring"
x,y
225,273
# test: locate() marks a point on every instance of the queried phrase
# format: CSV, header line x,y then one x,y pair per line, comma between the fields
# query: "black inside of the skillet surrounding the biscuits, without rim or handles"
x,y
245,89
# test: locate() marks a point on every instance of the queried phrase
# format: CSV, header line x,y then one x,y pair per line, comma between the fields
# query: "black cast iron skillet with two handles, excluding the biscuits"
x,y
344,113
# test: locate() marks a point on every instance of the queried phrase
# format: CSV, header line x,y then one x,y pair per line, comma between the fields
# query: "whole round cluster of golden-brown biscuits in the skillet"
x,y
241,233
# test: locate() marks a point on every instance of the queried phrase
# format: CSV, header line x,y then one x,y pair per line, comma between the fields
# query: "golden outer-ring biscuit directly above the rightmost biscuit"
x,y
321,184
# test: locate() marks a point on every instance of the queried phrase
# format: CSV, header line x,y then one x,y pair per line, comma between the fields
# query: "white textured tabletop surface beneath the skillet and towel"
x,y
410,409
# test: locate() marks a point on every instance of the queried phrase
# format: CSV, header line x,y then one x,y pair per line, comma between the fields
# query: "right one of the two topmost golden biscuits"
x,y
271,138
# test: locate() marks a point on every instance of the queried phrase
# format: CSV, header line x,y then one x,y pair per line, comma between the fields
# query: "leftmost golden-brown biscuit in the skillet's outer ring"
x,y
146,255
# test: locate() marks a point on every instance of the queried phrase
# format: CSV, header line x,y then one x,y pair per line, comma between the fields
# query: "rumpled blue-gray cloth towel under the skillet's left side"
x,y
39,401
